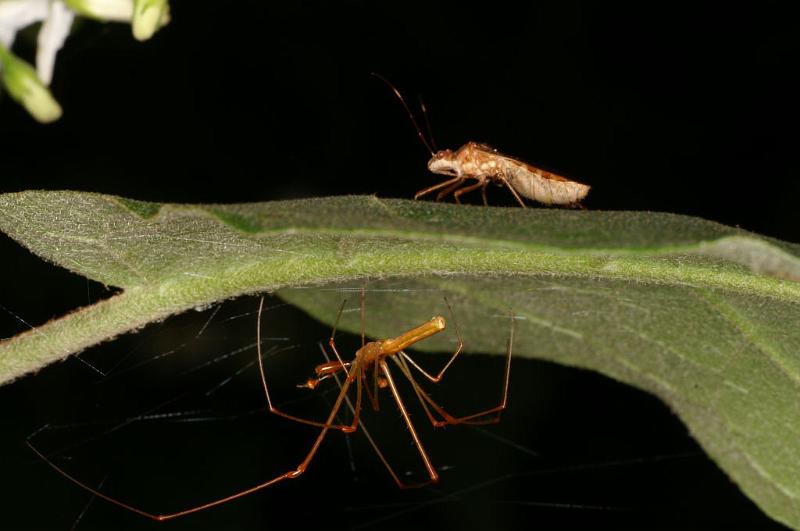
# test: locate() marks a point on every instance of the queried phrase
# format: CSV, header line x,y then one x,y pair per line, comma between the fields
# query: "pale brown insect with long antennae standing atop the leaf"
x,y
484,164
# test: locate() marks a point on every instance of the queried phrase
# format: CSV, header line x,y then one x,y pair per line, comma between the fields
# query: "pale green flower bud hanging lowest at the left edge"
x,y
25,86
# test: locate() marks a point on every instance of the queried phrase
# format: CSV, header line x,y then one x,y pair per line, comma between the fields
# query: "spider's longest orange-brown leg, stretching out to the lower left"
x,y
291,474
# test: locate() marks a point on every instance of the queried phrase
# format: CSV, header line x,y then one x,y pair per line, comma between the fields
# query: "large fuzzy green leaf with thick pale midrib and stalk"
x,y
702,315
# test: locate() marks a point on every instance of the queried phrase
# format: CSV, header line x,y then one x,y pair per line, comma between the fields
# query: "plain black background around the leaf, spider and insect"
x,y
682,108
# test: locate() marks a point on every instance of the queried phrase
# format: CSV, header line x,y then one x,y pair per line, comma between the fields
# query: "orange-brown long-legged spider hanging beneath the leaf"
x,y
370,361
